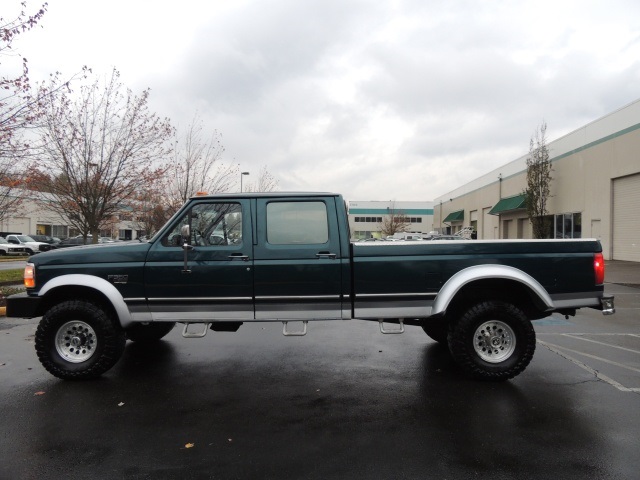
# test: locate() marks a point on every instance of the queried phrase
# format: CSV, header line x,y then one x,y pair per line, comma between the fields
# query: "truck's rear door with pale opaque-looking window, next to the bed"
x,y
297,264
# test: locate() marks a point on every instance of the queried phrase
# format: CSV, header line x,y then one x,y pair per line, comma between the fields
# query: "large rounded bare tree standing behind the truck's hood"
x,y
98,150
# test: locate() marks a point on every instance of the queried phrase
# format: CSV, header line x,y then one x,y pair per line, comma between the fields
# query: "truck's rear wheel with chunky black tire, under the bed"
x,y
492,340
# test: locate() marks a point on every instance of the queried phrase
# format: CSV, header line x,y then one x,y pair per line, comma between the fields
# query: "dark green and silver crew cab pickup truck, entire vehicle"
x,y
227,259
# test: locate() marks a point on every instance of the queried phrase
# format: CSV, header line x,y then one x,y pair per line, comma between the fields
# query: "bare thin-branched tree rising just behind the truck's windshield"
x,y
197,166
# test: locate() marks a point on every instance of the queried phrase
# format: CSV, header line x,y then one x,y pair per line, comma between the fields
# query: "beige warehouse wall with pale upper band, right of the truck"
x,y
586,163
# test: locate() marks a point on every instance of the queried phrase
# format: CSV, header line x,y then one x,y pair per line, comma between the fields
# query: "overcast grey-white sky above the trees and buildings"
x,y
377,100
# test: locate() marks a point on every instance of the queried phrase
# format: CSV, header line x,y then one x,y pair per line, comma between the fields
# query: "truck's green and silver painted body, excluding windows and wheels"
x,y
255,280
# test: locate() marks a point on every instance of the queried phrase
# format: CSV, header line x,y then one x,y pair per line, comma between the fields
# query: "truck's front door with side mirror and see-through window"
x,y
211,278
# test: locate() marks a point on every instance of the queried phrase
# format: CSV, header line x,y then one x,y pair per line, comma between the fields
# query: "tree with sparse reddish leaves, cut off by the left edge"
x,y
16,112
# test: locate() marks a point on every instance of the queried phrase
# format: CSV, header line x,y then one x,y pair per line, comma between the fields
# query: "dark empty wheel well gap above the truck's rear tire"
x,y
505,290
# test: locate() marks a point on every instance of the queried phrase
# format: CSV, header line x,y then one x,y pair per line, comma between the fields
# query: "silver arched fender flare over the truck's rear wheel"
x,y
487,272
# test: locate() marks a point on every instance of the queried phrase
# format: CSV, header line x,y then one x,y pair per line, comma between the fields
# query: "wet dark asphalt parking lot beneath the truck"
x,y
344,402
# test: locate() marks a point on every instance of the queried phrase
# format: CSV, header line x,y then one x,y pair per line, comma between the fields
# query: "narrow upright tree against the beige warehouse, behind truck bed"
x,y
538,181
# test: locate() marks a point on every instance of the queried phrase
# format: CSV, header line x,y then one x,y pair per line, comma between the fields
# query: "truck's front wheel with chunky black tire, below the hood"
x,y
78,340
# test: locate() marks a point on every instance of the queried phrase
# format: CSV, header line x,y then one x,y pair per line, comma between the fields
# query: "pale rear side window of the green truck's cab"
x,y
297,223
